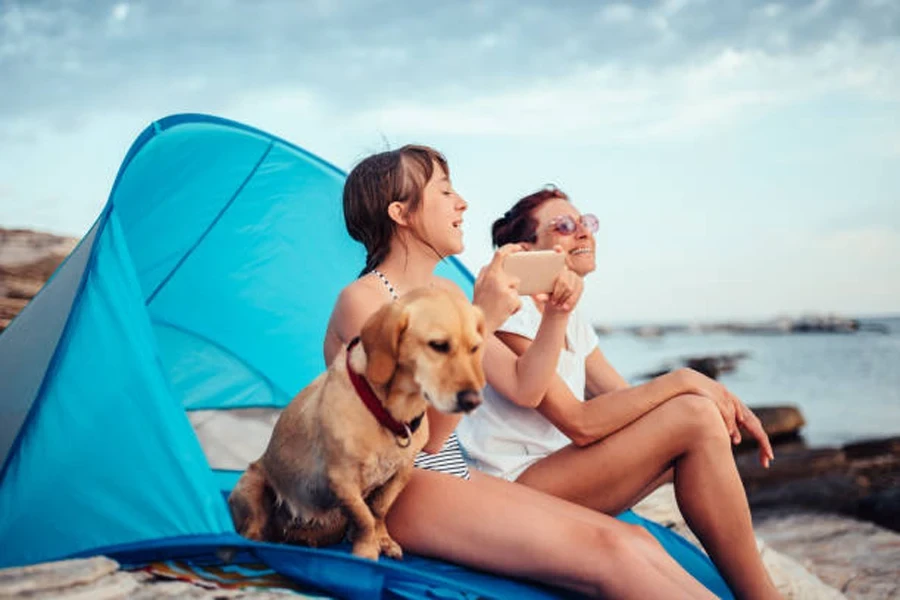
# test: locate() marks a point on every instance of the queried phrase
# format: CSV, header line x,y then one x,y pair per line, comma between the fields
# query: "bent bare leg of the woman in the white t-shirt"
x,y
687,434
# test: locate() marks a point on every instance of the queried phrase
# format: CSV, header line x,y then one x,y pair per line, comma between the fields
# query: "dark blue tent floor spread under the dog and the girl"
x,y
334,571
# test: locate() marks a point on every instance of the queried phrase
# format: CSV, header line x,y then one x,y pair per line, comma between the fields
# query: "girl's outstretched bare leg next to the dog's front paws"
x,y
507,528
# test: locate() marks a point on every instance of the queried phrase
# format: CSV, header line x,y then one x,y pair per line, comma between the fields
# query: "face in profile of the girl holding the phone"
x,y
439,216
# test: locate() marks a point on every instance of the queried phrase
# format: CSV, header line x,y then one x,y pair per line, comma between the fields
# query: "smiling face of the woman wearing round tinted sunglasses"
x,y
578,246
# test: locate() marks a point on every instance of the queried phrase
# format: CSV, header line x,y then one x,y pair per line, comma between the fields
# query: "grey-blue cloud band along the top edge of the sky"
x,y
96,55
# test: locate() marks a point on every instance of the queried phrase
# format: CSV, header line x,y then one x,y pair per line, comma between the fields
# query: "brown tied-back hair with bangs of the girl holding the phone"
x,y
393,176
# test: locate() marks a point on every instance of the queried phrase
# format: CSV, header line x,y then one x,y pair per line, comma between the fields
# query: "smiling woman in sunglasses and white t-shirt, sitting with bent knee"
x,y
609,451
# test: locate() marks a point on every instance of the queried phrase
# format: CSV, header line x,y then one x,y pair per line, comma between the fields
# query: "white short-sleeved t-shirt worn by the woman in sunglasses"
x,y
504,439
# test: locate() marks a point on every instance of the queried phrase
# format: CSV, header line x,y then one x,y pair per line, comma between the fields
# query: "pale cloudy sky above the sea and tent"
x,y
743,157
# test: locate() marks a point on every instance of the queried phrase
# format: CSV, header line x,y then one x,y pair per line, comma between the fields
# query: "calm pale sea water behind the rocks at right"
x,y
846,385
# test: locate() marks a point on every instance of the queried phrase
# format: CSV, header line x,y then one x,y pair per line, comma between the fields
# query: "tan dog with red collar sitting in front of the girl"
x,y
332,457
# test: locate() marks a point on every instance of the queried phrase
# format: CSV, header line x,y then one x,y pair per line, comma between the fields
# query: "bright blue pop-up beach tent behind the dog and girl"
x,y
205,284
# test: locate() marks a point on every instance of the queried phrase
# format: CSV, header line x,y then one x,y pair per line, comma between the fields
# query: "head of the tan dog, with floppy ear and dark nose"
x,y
431,341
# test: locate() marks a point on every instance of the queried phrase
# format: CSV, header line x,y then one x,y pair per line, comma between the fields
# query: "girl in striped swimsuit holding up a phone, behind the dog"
x,y
401,206
